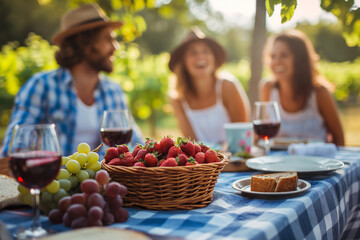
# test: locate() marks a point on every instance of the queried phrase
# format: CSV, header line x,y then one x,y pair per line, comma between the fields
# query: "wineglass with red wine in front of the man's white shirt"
x,y
116,127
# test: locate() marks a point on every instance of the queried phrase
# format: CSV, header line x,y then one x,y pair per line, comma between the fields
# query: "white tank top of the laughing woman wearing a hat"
x,y
208,123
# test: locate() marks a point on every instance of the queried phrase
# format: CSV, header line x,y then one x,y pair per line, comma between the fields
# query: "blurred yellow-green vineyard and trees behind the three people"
x,y
152,30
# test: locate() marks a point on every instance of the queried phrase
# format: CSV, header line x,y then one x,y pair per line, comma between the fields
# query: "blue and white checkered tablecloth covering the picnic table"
x,y
319,213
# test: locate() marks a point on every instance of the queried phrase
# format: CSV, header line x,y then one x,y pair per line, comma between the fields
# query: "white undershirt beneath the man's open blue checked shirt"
x,y
87,125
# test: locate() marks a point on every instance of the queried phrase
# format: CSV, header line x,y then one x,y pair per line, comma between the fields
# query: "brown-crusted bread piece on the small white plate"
x,y
274,182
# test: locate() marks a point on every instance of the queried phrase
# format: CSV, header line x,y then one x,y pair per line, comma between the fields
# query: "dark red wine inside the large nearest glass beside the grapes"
x,y
35,169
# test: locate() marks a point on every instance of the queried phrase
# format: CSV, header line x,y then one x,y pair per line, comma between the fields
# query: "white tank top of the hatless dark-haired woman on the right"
x,y
306,123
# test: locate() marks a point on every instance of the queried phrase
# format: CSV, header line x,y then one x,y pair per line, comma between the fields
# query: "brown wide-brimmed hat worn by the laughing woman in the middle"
x,y
197,35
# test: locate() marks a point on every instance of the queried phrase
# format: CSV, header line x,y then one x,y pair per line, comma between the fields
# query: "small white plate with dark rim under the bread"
x,y
243,185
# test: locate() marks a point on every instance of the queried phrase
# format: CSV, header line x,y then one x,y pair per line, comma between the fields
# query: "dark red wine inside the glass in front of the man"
x,y
113,137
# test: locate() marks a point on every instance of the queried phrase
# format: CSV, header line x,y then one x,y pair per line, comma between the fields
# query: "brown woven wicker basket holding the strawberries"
x,y
168,188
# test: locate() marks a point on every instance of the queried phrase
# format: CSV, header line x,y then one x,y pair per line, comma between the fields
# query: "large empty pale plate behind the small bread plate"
x,y
300,164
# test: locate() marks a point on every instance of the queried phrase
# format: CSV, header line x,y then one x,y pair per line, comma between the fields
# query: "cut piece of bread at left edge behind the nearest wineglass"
x,y
9,193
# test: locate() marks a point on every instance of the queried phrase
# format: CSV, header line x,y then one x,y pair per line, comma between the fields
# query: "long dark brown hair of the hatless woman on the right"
x,y
305,63
